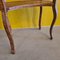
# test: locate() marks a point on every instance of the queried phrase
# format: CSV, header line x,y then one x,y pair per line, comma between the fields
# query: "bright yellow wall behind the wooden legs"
x,y
28,17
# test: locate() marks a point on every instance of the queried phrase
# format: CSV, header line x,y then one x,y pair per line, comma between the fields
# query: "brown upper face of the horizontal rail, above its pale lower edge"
x,y
16,3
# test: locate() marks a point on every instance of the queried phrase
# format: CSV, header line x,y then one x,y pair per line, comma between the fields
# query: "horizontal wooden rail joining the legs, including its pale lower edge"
x,y
26,3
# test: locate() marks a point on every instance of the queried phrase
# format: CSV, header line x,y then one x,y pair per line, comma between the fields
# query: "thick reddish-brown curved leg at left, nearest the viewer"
x,y
7,28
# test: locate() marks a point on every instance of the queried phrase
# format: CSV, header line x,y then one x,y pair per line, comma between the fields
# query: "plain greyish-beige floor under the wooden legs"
x,y
31,44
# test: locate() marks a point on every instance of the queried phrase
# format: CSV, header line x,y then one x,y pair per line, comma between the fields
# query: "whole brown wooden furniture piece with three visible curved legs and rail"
x,y
6,6
